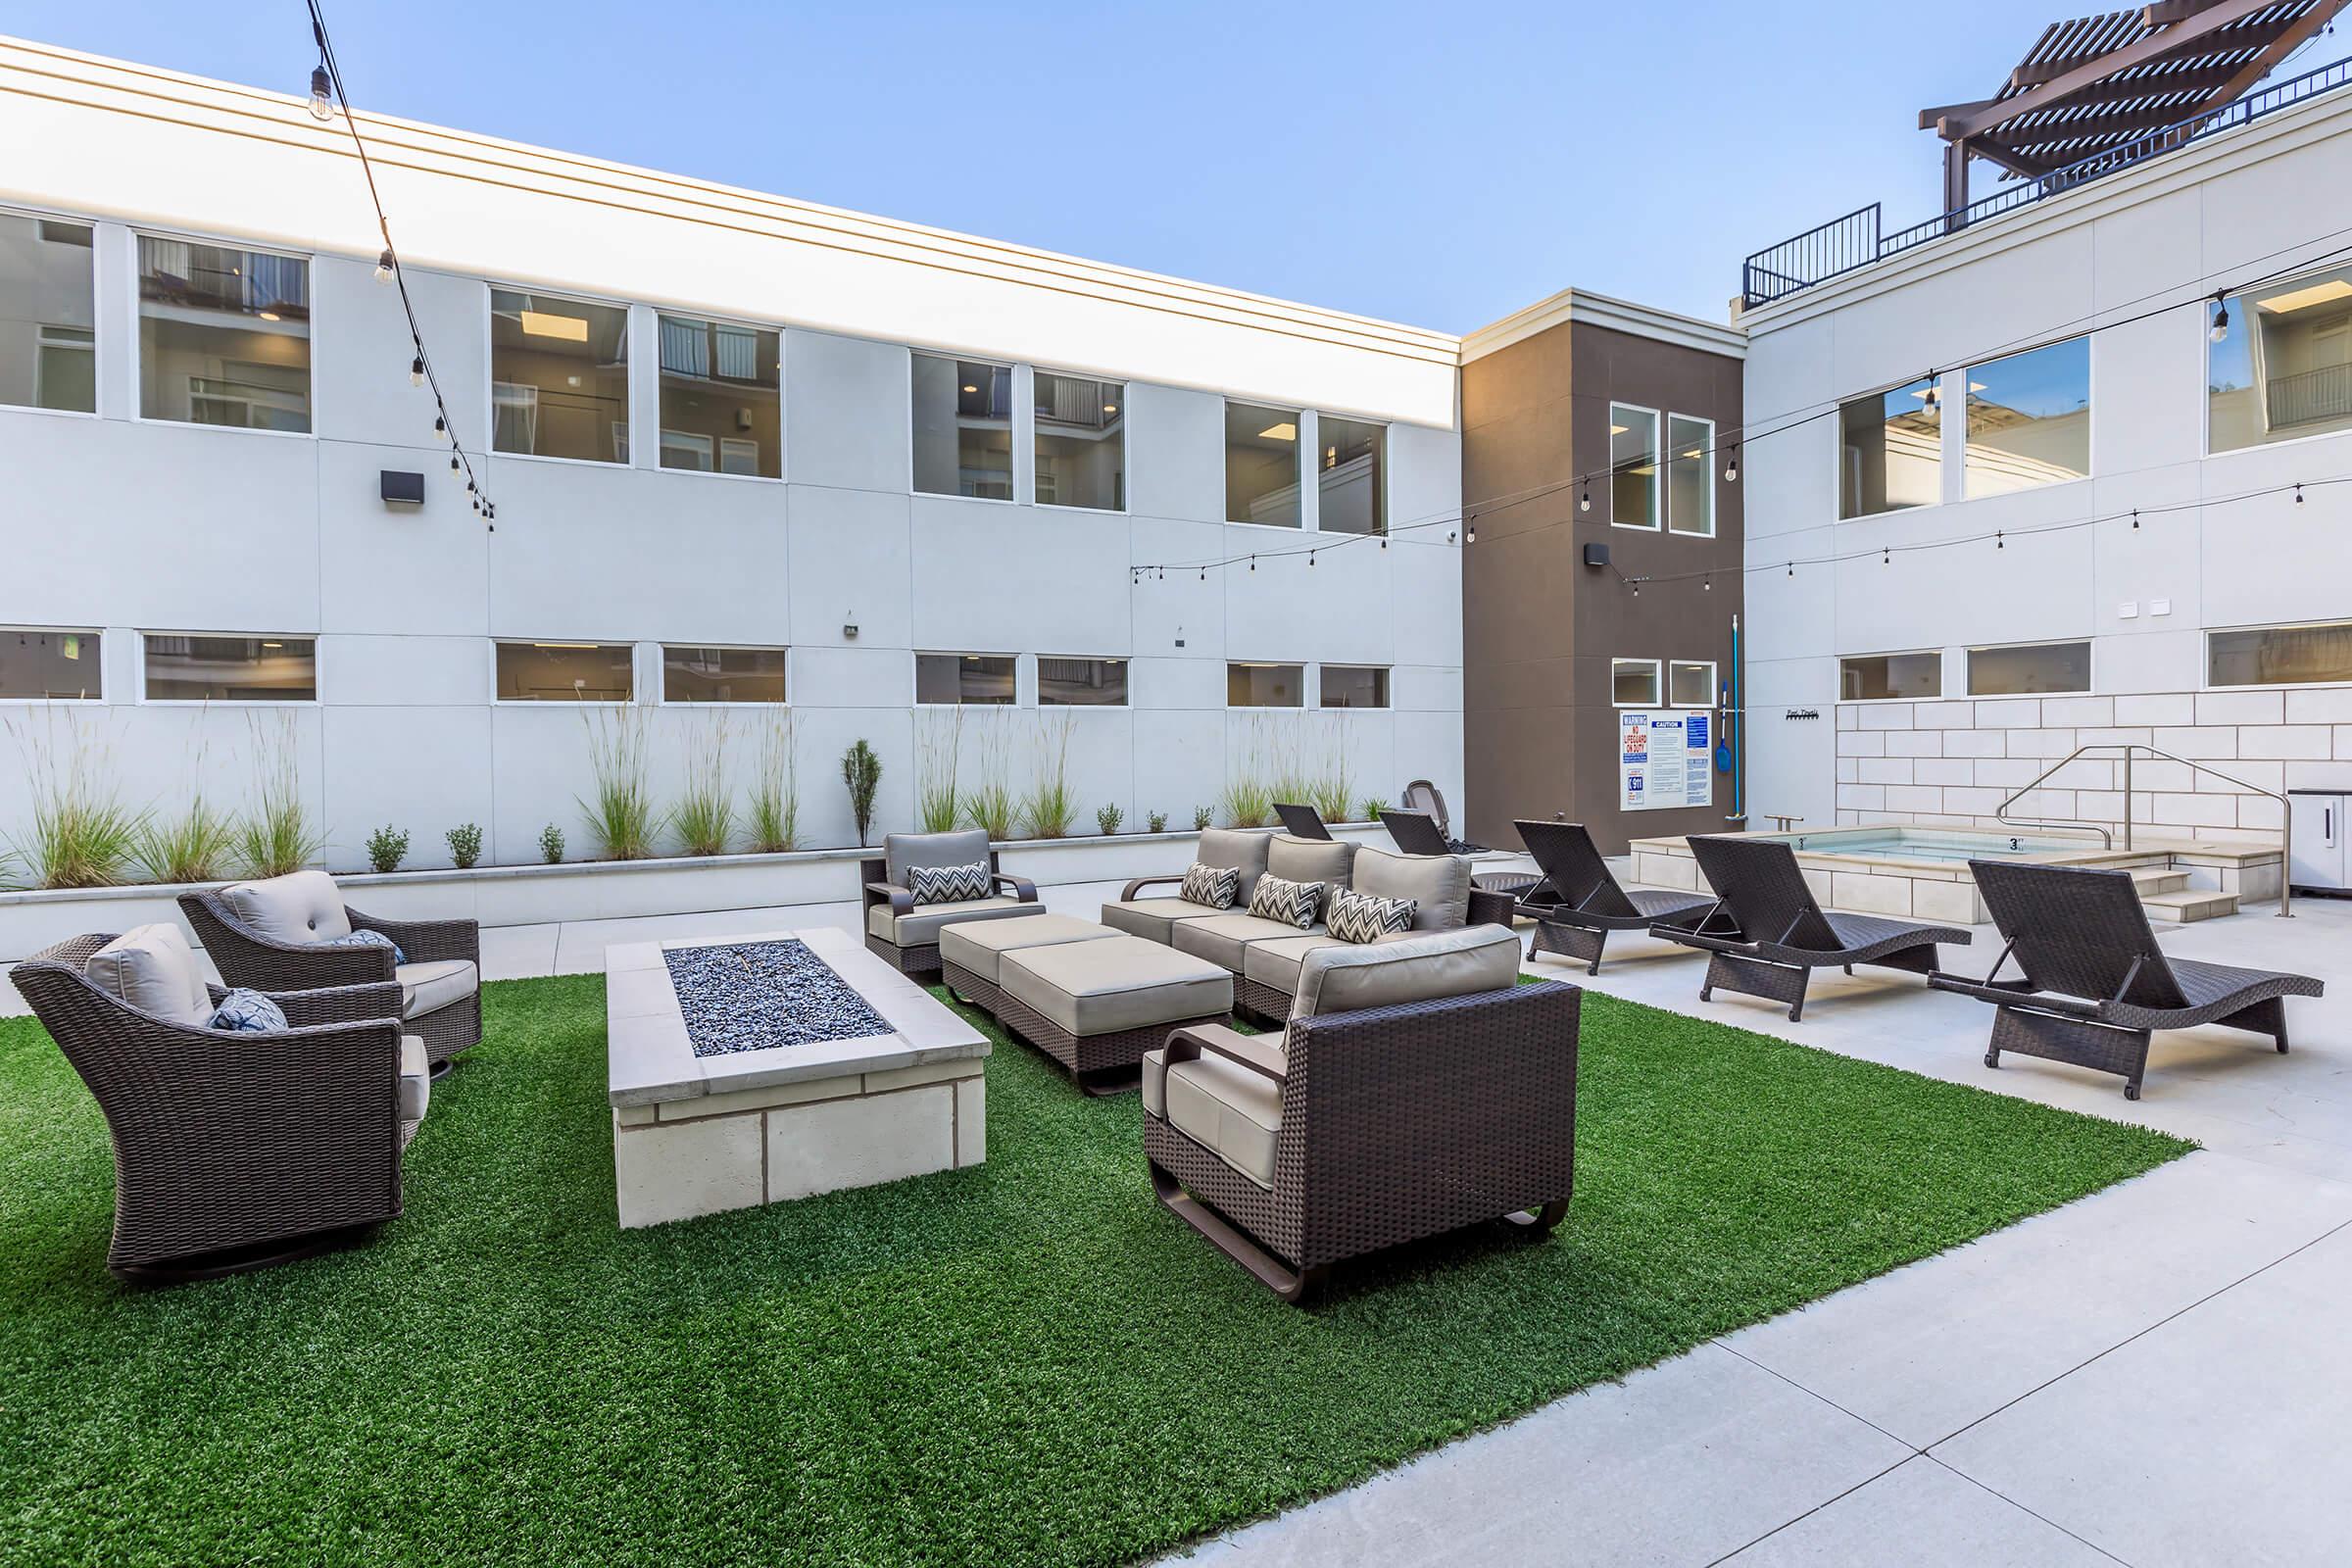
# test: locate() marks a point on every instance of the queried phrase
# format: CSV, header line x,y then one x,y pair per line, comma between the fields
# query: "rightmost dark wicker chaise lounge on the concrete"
x,y
2097,986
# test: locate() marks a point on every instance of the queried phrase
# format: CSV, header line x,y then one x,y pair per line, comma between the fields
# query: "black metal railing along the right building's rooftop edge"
x,y
1857,241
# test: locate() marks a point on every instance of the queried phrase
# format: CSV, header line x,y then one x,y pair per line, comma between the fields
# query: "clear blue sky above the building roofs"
x,y
1436,166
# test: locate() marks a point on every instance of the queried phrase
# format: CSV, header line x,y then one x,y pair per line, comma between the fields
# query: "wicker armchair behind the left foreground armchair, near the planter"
x,y
443,1003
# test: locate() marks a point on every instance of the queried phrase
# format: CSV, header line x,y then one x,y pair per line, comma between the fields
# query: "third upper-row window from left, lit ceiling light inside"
x,y
559,375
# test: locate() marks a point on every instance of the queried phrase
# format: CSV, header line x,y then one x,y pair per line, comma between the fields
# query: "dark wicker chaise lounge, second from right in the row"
x,y
1768,934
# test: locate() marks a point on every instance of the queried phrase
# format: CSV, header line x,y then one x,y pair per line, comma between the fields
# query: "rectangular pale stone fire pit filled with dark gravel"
x,y
766,1068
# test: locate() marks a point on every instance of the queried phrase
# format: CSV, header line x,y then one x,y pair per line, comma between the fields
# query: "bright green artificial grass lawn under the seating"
x,y
1020,1362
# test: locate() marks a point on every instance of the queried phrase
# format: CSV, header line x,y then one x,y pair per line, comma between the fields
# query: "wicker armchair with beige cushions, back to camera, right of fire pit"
x,y
1417,1090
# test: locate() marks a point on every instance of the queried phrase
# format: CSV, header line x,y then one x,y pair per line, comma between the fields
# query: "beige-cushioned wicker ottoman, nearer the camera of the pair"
x,y
1100,1007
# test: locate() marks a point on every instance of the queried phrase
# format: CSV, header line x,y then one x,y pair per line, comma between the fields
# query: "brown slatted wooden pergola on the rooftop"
x,y
2102,83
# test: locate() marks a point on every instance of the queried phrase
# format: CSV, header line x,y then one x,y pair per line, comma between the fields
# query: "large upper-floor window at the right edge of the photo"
x,y
2283,366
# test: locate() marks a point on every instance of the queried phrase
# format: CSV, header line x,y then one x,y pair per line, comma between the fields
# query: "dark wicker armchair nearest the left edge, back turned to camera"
x,y
236,1151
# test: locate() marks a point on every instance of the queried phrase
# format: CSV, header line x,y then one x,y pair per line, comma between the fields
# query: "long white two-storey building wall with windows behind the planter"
x,y
747,455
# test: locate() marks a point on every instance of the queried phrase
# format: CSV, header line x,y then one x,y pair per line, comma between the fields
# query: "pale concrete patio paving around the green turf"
x,y
2149,1376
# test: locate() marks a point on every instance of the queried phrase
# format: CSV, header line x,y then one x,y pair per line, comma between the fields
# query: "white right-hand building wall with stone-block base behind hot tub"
x,y
2092,532
